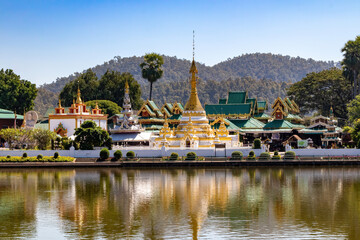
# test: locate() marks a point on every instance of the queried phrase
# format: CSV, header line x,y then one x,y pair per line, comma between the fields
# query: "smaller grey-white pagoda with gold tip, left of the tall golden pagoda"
x,y
126,129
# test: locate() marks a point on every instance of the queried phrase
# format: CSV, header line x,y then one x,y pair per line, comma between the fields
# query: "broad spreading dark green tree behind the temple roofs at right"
x,y
321,91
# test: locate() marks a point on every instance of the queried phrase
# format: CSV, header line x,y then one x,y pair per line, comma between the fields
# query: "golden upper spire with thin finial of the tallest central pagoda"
x,y
193,103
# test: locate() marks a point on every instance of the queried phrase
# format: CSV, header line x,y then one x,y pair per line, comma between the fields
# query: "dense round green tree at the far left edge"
x,y
16,94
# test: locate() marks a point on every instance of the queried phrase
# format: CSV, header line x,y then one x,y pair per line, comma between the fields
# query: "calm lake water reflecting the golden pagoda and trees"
x,y
232,203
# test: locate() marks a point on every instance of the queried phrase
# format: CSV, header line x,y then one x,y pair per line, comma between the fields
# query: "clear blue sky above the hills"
x,y
43,40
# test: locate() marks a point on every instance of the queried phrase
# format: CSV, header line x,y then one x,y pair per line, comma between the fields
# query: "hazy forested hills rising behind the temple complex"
x,y
246,72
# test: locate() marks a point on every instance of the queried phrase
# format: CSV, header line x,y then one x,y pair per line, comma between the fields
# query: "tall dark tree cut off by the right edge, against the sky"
x,y
351,63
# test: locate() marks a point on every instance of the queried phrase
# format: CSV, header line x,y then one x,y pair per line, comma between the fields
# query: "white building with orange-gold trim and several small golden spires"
x,y
64,123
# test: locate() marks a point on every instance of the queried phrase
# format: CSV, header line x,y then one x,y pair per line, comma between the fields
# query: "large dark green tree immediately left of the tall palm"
x,y
112,87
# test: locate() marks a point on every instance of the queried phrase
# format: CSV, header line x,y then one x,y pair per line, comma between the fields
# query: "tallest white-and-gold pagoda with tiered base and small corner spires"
x,y
193,130
